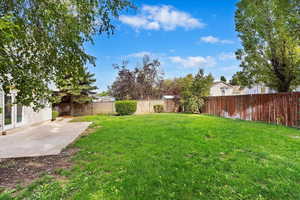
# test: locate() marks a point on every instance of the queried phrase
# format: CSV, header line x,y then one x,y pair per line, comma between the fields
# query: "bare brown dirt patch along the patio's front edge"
x,y
22,171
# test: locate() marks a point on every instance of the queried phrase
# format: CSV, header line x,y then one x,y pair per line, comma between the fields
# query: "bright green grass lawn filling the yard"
x,y
178,156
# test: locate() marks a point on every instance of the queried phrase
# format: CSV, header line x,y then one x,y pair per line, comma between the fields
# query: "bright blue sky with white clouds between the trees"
x,y
183,35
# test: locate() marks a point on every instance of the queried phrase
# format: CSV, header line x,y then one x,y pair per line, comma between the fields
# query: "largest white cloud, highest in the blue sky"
x,y
161,17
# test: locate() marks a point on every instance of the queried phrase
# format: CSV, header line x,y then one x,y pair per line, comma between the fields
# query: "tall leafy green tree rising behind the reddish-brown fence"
x,y
270,35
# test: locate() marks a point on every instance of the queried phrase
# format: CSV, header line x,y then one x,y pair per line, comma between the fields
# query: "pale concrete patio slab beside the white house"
x,y
45,139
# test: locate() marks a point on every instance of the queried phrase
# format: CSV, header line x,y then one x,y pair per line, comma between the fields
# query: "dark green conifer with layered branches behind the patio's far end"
x,y
74,90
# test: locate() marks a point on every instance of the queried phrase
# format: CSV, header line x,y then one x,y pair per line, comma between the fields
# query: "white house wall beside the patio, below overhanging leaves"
x,y
29,116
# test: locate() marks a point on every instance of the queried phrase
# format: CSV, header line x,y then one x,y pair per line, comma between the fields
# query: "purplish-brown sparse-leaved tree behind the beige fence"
x,y
142,82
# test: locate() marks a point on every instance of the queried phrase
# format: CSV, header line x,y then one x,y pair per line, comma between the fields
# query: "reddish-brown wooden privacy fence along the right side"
x,y
279,108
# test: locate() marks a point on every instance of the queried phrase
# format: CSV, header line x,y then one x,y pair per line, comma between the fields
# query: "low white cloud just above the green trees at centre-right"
x,y
194,61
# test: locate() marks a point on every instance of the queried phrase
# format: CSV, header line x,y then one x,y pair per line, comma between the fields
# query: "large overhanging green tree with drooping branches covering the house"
x,y
42,41
